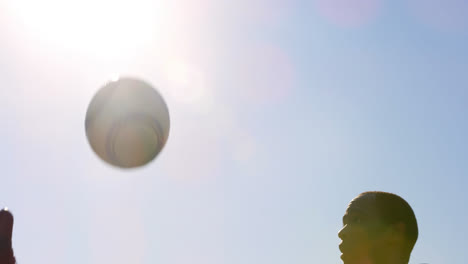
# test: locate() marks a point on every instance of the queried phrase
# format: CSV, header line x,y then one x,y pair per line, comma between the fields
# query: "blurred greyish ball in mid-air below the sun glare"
x,y
127,123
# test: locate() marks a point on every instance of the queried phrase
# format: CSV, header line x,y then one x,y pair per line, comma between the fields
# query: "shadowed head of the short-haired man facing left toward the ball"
x,y
377,227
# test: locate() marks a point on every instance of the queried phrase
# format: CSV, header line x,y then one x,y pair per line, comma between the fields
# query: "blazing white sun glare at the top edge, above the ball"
x,y
103,28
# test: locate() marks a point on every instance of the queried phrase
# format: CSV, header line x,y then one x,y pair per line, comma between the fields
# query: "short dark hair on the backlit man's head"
x,y
392,209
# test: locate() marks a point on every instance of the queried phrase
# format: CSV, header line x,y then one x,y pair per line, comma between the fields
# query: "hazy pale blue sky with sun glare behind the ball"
x,y
281,113
